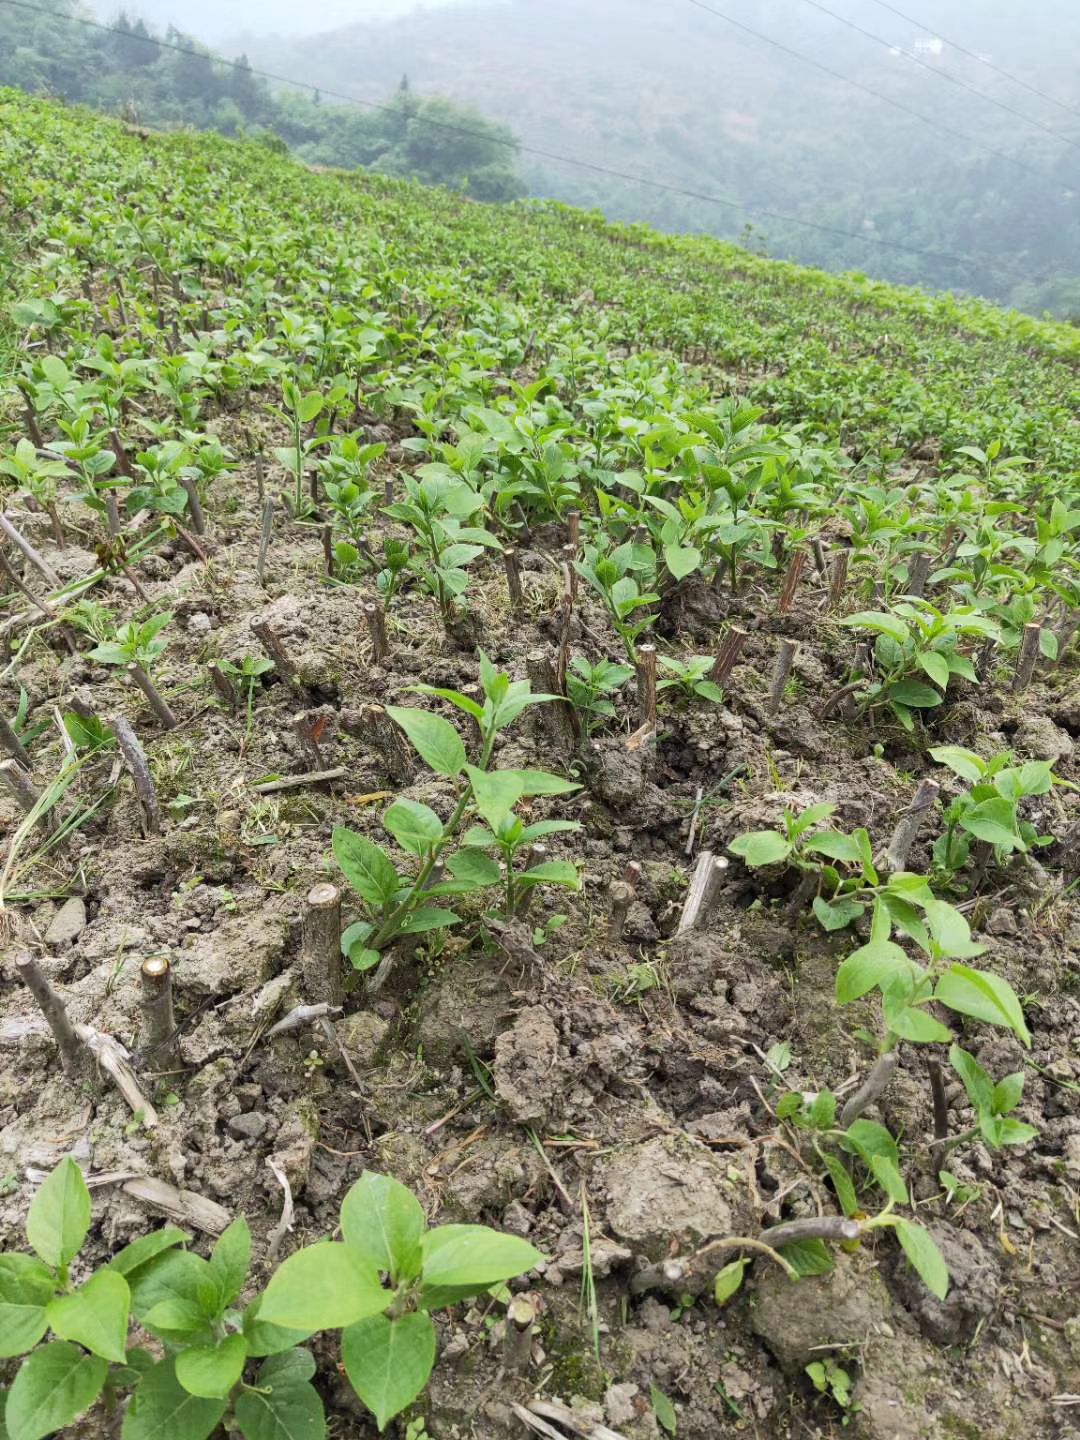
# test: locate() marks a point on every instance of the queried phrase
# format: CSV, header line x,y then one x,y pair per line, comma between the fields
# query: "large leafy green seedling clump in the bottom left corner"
x,y
218,1360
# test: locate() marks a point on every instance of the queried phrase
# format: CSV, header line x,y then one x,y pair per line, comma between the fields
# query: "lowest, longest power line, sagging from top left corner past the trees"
x,y
513,145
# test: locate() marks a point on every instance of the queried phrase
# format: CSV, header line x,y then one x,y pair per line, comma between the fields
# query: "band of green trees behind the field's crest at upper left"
x,y
423,138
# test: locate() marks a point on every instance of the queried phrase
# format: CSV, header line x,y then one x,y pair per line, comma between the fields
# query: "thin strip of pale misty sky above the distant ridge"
x,y
217,21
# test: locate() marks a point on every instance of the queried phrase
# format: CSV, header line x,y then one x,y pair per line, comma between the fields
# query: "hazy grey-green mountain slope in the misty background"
x,y
683,97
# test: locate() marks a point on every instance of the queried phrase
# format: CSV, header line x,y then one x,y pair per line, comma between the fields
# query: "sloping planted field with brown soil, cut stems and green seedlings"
x,y
542,822
